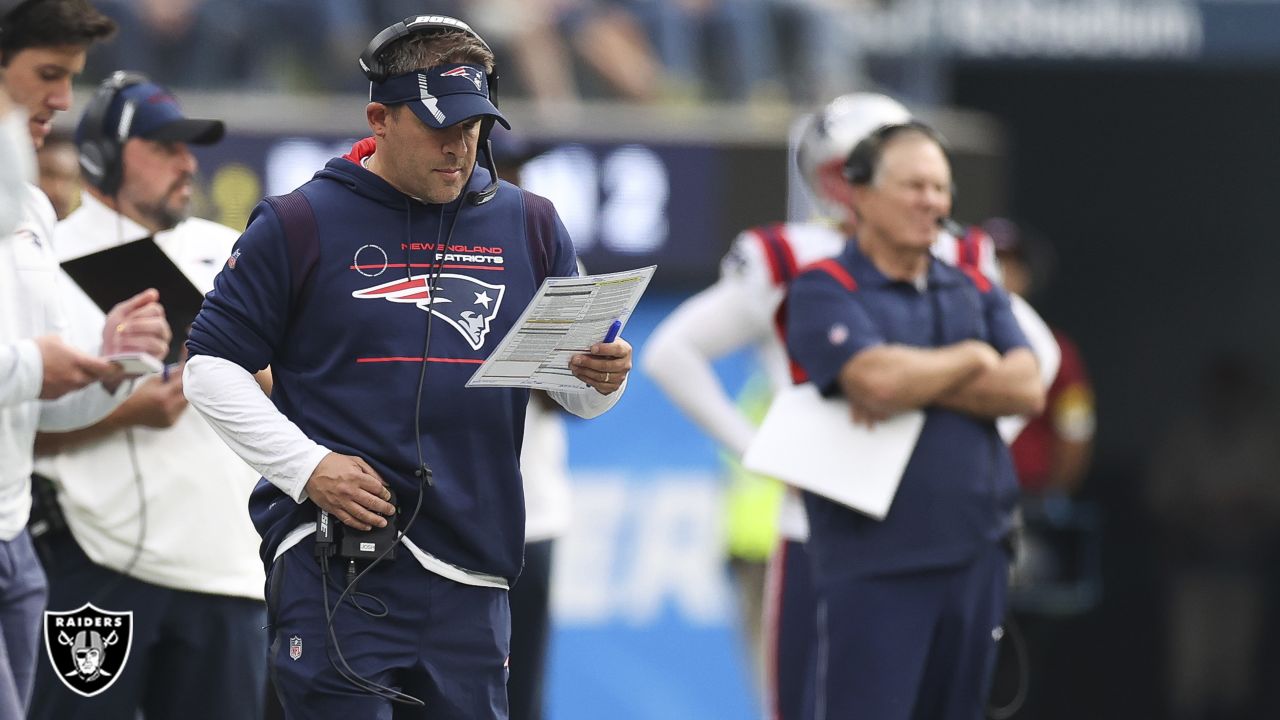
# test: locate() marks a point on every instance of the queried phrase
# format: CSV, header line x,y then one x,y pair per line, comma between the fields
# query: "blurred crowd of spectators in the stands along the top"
x,y
552,51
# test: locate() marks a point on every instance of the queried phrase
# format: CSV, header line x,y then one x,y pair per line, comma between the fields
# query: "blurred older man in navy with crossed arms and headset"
x,y
911,608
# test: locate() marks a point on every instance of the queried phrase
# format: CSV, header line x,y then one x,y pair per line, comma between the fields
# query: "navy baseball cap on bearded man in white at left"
x,y
150,112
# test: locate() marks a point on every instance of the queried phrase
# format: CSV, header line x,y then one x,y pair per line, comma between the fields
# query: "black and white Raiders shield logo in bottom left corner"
x,y
89,648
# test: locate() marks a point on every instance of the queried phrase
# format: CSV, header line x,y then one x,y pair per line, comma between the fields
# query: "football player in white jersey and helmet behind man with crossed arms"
x,y
740,311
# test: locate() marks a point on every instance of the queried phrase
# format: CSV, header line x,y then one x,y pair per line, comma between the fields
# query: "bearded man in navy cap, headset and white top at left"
x,y
127,486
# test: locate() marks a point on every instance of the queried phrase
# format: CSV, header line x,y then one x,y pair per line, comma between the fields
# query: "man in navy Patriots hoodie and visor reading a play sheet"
x,y
374,291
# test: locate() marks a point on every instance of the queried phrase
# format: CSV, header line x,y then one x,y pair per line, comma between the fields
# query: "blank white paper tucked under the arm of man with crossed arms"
x,y
812,443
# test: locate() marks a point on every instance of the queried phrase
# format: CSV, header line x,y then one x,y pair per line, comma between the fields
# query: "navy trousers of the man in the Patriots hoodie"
x,y
440,641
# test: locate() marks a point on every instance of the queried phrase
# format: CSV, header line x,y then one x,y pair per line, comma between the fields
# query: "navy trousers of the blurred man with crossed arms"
x,y
918,646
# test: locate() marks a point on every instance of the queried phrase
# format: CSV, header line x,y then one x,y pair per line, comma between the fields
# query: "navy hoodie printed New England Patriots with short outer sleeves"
x,y
344,322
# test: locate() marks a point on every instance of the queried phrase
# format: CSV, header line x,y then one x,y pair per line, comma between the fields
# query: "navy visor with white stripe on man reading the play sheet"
x,y
441,97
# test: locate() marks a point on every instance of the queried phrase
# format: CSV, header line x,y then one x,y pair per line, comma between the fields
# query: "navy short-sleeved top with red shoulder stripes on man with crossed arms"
x,y
958,493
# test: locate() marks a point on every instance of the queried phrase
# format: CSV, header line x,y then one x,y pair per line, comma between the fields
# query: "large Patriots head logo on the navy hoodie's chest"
x,y
464,303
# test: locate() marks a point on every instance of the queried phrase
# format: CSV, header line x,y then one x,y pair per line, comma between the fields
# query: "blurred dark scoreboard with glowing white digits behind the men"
x,y
627,203
